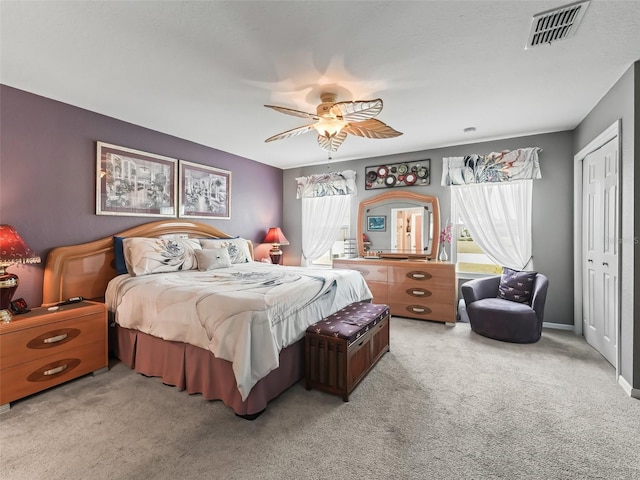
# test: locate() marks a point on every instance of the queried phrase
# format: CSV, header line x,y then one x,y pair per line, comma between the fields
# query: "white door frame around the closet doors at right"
x,y
614,131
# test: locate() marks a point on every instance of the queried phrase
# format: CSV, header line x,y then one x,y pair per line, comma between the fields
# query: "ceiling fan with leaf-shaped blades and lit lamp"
x,y
334,120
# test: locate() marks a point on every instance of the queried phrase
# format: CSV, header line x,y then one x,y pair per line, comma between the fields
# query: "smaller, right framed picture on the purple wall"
x,y
205,192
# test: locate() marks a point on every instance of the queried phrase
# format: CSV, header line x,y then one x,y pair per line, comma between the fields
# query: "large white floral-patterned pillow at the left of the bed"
x,y
158,255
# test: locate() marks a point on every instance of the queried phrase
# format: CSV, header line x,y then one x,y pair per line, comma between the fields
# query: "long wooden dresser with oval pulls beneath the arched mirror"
x,y
420,289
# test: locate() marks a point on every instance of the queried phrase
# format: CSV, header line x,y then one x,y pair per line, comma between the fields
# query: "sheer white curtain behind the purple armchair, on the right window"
x,y
498,216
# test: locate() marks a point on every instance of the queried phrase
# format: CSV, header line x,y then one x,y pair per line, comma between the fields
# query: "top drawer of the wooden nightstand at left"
x,y
41,341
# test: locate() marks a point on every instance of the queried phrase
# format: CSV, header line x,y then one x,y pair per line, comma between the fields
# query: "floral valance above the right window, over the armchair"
x,y
506,166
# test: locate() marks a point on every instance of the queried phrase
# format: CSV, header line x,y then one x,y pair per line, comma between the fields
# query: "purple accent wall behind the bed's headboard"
x,y
48,178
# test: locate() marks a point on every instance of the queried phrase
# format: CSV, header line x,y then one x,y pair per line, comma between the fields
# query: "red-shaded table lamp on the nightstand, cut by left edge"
x,y
13,249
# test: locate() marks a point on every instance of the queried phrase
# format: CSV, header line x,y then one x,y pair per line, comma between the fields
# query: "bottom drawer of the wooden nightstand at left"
x,y
27,378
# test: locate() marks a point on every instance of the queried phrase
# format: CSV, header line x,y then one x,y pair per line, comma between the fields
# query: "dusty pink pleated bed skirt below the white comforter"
x,y
198,371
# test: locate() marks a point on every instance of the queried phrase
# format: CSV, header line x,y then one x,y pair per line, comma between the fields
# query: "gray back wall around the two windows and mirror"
x,y
552,206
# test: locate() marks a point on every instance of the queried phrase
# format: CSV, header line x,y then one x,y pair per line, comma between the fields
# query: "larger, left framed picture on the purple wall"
x,y
131,182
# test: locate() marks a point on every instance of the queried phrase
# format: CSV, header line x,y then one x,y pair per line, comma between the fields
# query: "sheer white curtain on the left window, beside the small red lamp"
x,y
321,222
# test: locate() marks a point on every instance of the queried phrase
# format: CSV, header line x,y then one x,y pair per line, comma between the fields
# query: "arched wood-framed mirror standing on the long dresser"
x,y
399,225
